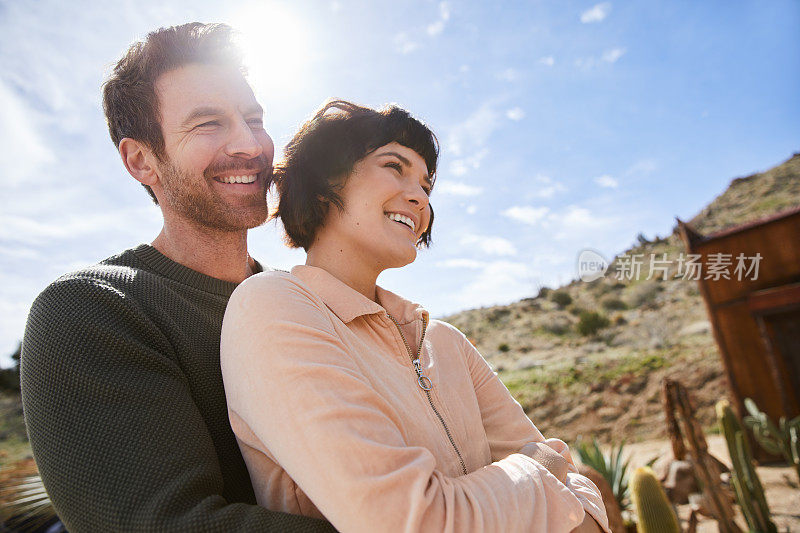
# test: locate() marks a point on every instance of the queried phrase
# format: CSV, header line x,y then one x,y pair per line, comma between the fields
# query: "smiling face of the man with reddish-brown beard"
x,y
217,156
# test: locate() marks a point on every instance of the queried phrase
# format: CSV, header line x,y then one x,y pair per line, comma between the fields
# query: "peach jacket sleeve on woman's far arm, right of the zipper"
x,y
508,428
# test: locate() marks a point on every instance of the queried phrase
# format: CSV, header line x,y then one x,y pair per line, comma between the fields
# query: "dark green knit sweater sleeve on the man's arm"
x,y
117,437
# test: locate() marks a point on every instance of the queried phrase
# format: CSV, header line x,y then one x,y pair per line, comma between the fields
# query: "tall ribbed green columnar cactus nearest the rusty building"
x,y
745,481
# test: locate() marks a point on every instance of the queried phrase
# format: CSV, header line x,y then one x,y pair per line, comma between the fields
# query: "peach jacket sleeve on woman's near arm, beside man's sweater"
x,y
340,441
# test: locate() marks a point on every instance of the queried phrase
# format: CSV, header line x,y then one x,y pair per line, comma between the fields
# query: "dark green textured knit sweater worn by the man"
x,y
125,407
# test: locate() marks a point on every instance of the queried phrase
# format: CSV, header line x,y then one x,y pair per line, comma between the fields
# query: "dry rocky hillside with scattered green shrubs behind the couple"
x,y
589,358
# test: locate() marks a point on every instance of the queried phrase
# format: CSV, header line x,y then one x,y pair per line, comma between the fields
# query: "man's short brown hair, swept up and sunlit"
x,y
130,101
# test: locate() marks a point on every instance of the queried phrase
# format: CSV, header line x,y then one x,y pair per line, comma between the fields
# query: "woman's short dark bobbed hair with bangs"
x,y
320,157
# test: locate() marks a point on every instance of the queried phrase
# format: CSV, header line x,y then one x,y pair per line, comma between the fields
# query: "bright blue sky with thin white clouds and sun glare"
x,y
563,124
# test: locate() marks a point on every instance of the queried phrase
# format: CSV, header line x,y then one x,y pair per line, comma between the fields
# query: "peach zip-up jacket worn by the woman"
x,y
332,422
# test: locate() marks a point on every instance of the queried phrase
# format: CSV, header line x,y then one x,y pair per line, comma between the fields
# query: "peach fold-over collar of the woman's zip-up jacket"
x,y
348,304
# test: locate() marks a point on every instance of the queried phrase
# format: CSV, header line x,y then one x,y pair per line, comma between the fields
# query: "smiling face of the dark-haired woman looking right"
x,y
385,210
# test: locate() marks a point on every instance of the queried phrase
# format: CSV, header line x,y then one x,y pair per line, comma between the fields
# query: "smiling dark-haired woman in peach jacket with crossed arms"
x,y
346,400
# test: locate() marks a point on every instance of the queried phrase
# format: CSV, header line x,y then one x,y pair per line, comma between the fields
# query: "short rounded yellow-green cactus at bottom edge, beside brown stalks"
x,y
653,511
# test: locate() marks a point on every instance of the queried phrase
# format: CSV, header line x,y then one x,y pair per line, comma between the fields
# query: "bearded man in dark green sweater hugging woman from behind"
x,y
121,383
